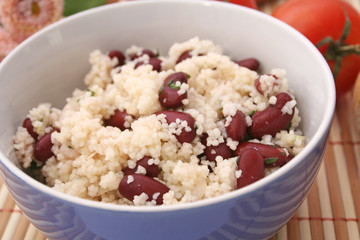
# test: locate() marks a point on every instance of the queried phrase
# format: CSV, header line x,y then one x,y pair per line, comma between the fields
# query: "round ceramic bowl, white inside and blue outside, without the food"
x,y
50,64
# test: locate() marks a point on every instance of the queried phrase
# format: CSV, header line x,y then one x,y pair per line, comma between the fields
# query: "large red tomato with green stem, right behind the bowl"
x,y
318,19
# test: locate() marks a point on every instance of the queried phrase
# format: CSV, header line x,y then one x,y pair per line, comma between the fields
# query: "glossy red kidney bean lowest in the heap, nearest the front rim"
x,y
138,184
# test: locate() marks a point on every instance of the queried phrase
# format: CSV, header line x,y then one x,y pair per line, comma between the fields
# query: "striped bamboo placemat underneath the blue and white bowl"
x,y
330,211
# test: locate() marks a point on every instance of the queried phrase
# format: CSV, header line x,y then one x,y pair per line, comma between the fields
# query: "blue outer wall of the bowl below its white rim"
x,y
256,215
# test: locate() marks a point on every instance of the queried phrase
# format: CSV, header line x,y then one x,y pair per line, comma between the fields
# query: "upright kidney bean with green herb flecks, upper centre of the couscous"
x,y
168,94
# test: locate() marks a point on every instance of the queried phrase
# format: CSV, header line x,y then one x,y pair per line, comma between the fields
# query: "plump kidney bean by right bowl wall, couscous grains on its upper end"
x,y
271,120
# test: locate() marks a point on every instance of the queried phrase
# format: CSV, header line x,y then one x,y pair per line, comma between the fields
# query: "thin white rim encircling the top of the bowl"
x,y
231,196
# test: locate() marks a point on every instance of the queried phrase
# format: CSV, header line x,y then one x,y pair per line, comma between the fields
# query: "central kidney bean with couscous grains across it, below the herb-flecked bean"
x,y
184,136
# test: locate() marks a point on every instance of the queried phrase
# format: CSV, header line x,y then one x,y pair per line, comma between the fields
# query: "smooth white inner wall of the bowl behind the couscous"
x,y
50,64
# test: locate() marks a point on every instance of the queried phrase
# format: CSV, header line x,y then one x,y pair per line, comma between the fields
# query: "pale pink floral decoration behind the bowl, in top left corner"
x,y
22,18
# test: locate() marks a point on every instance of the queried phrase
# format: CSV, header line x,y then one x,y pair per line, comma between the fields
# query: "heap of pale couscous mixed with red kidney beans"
x,y
153,130
